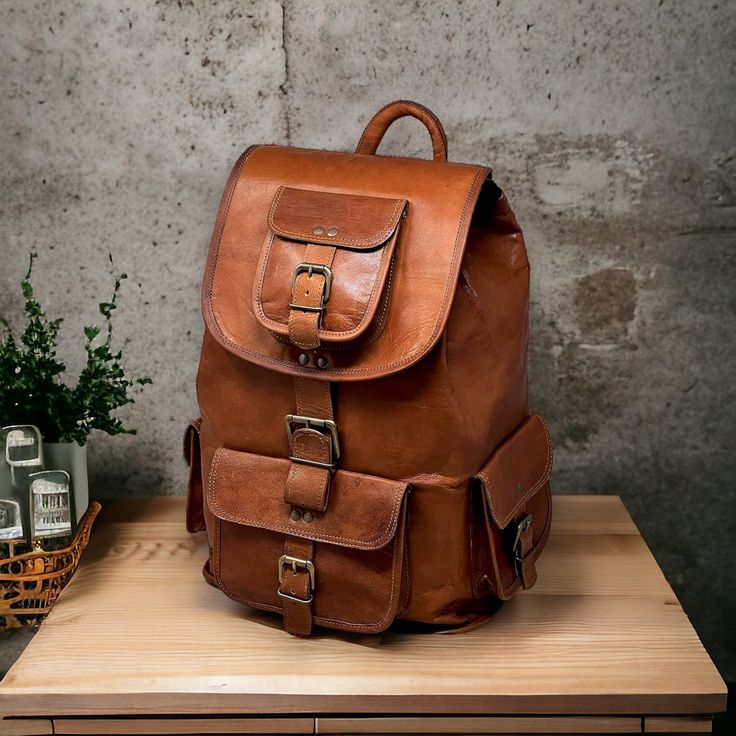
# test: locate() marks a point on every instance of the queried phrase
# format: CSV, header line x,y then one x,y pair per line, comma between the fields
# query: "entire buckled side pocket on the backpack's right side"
x,y
511,512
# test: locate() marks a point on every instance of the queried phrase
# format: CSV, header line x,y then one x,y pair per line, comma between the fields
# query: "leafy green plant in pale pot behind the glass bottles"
x,y
34,394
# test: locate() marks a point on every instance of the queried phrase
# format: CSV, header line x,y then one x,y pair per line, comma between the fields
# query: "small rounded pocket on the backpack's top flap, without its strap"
x,y
366,232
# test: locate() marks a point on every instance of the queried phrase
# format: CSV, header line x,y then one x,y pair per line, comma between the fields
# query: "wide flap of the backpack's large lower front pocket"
x,y
362,510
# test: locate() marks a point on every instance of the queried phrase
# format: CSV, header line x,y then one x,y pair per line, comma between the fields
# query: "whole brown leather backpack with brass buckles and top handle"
x,y
365,452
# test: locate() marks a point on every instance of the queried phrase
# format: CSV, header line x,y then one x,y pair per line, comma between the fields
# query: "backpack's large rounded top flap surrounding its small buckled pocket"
x,y
425,269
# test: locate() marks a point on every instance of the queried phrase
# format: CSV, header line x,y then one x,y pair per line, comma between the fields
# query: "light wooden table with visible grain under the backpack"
x,y
138,643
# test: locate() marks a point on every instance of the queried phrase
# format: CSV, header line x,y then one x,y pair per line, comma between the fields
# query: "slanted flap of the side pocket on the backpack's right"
x,y
517,470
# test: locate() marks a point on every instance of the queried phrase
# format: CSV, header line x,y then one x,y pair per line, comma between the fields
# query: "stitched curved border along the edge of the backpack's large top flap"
x,y
406,360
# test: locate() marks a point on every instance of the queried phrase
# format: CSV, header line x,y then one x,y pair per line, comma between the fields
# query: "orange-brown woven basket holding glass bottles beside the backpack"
x,y
31,583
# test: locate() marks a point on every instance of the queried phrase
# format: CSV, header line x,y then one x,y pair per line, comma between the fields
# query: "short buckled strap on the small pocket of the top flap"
x,y
309,291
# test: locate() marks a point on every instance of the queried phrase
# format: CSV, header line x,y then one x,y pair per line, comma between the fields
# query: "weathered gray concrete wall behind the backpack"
x,y
612,127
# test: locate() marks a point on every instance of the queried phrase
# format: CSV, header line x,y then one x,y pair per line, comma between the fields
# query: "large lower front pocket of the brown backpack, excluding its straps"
x,y
359,540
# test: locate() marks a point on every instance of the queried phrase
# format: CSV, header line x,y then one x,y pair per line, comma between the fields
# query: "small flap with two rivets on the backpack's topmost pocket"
x,y
344,220
